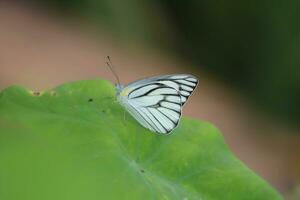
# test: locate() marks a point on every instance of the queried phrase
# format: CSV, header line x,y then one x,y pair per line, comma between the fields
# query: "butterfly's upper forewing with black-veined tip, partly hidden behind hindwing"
x,y
183,83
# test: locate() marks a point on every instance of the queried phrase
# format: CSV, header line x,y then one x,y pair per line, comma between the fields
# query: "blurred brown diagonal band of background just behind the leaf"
x,y
39,51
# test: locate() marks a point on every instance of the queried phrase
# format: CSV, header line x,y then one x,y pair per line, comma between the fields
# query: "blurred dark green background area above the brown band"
x,y
253,45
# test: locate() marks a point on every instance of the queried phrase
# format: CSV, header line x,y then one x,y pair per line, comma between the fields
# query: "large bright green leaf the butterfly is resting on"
x,y
77,142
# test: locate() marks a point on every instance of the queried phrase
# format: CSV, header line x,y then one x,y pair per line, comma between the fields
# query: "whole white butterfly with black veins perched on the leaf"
x,y
156,102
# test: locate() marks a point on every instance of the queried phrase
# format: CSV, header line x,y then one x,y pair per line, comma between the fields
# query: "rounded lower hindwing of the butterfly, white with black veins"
x,y
156,106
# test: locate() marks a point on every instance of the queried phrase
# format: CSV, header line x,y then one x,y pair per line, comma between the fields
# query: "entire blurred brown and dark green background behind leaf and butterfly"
x,y
246,55
